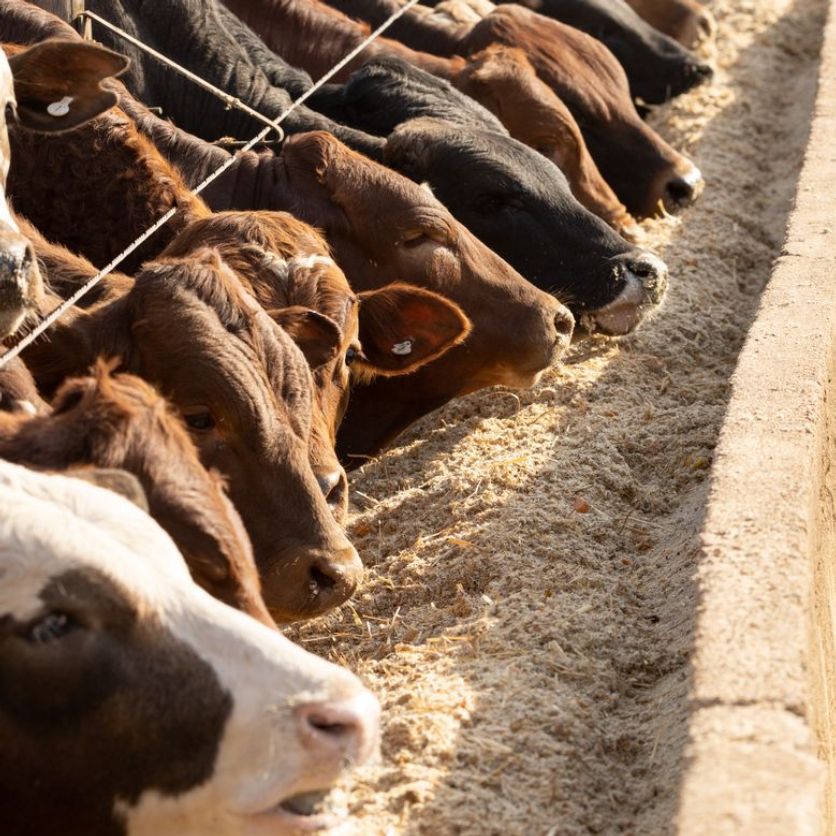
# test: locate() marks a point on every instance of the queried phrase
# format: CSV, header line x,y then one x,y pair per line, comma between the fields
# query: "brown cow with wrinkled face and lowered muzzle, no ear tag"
x,y
189,327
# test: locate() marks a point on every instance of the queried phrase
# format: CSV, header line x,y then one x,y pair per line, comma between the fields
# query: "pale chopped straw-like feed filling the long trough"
x,y
528,609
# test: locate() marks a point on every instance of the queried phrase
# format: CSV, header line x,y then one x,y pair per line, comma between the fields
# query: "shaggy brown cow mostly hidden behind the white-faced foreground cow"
x,y
120,422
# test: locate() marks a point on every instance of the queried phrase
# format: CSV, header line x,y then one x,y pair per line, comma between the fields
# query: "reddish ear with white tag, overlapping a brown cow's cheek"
x,y
402,327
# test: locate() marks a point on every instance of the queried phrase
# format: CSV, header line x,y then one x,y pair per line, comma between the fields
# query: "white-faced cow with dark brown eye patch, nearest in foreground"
x,y
133,702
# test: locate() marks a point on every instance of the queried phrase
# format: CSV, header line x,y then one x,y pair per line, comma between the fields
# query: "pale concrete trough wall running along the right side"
x,y
762,730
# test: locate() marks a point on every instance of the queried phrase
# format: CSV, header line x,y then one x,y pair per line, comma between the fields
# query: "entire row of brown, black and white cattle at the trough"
x,y
438,218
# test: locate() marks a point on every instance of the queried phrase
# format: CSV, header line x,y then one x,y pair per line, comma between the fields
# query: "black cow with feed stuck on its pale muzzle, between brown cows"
x,y
508,195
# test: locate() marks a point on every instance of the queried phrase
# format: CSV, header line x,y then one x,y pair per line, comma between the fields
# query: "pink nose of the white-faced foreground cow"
x,y
345,730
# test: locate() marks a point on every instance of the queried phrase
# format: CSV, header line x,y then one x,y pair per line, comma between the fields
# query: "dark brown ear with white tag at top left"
x,y
58,83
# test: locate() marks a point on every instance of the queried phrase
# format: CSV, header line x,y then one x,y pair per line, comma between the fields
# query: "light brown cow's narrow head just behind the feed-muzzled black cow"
x,y
495,77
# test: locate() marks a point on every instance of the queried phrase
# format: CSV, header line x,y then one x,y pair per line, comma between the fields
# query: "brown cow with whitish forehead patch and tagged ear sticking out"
x,y
287,266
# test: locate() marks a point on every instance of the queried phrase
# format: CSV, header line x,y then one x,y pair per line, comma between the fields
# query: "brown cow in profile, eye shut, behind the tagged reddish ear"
x,y
383,228
